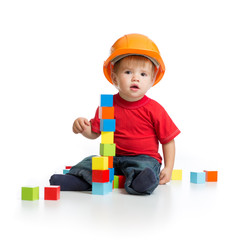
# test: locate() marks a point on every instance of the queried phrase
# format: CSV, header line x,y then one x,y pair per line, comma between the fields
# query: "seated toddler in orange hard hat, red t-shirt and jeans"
x,y
134,66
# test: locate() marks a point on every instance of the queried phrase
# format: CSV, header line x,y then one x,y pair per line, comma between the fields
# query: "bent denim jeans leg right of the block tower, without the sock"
x,y
132,166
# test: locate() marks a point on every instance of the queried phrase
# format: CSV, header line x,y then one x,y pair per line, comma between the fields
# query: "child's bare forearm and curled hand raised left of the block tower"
x,y
83,126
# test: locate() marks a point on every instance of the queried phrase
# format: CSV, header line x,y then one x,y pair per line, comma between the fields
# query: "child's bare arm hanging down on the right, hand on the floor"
x,y
169,158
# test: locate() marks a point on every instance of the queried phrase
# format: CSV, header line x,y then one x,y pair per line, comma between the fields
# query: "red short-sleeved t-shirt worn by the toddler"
x,y
140,126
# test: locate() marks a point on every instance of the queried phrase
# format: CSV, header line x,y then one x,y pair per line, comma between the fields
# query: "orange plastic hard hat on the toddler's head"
x,y
134,44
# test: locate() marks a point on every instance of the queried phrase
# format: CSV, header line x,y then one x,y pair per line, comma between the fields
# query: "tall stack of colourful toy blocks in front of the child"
x,y
102,166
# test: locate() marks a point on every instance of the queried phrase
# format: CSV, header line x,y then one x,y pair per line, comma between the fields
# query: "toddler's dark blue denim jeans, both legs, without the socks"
x,y
129,166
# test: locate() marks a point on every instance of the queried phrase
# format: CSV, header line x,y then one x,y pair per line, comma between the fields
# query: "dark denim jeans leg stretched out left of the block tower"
x,y
83,169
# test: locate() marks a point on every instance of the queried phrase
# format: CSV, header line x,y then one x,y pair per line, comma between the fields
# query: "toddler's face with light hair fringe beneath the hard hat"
x,y
132,79
